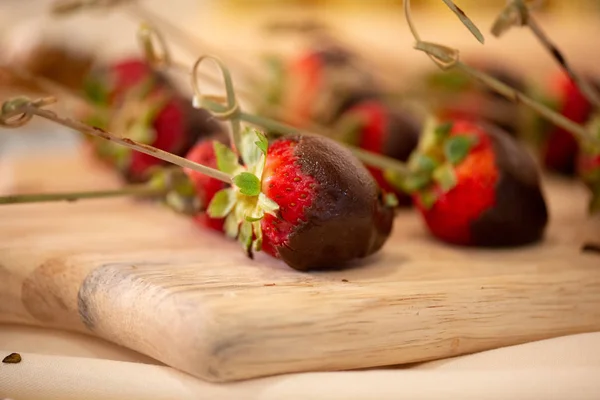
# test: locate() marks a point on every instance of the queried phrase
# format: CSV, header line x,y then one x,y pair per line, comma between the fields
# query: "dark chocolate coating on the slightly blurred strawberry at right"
x,y
520,215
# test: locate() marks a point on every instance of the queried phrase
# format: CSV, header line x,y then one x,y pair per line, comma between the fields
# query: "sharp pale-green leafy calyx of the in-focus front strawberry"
x,y
243,205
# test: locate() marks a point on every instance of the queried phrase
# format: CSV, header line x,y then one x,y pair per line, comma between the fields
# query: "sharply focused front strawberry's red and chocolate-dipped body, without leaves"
x,y
330,208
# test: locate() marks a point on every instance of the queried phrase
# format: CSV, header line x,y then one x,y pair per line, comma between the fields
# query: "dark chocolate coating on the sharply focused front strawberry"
x,y
347,219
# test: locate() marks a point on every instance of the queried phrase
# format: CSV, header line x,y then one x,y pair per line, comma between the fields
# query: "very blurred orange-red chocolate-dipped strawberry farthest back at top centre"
x,y
317,86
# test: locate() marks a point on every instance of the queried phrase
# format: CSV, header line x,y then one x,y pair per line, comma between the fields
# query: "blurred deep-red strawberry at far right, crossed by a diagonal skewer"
x,y
560,147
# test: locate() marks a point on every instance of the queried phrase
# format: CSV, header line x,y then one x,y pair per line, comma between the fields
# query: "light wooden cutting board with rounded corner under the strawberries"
x,y
140,276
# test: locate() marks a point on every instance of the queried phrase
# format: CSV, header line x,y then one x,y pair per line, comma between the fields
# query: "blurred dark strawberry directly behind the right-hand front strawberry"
x,y
458,96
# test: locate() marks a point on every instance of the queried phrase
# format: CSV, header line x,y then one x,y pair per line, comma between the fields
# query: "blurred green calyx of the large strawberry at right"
x,y
432,165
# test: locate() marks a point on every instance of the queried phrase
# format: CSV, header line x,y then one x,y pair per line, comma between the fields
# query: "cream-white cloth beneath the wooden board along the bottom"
x,y
58,365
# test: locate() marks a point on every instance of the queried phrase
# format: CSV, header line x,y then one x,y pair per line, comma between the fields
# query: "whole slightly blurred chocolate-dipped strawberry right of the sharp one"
x,y
475,186
